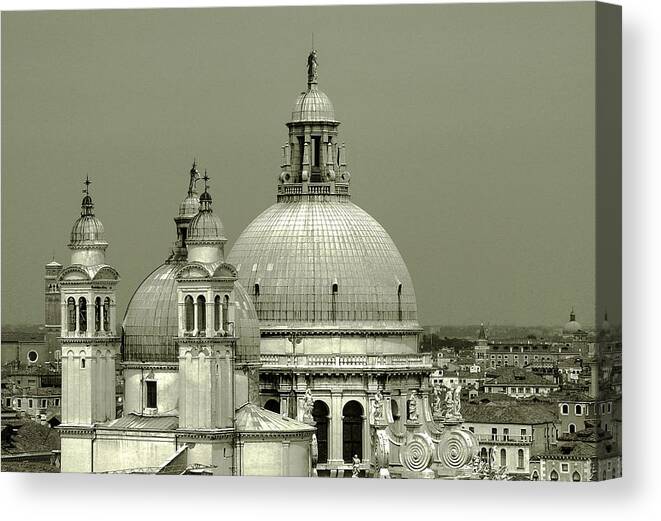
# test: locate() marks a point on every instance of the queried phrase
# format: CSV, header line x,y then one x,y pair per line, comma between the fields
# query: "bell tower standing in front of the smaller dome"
x,y
206,335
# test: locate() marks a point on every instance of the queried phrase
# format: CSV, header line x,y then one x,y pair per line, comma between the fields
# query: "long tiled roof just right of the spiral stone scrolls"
x,y
513,412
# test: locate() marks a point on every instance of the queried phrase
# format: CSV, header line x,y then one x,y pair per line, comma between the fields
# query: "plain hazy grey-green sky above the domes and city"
x,y
470,134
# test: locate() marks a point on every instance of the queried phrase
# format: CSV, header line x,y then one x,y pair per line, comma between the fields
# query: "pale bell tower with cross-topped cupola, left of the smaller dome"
x,y
88,338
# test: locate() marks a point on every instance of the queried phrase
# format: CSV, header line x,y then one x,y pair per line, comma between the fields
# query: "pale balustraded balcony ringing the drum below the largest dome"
x,y
345,362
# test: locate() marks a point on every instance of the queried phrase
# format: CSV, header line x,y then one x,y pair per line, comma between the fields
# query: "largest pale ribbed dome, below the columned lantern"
x,y
324,264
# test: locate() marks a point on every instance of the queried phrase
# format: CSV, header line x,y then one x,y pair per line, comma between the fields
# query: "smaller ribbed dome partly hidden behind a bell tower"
x,y
151,323
